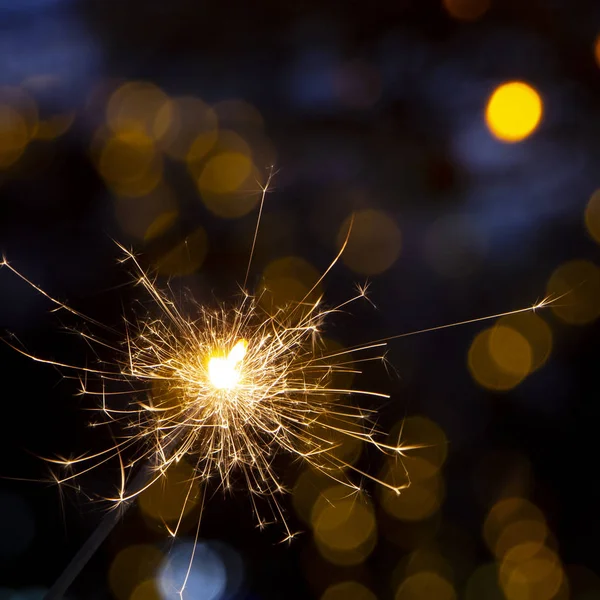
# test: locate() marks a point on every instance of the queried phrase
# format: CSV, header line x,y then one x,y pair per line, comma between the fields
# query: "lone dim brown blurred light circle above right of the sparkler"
x,y
374,243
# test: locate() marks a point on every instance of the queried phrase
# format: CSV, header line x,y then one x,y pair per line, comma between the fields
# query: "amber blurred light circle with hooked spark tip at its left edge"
x,y
418,501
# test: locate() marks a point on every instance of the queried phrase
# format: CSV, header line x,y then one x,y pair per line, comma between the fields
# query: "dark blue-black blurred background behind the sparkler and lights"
x,y
406,135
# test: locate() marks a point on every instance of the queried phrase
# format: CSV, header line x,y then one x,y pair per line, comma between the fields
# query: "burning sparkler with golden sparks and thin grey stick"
x,y
229,389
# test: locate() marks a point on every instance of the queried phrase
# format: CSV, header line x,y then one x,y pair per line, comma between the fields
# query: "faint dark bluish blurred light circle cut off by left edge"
x,y
17,527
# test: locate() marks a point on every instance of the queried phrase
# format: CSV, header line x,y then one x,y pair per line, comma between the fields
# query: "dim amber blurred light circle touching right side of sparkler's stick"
x,y
170,497
